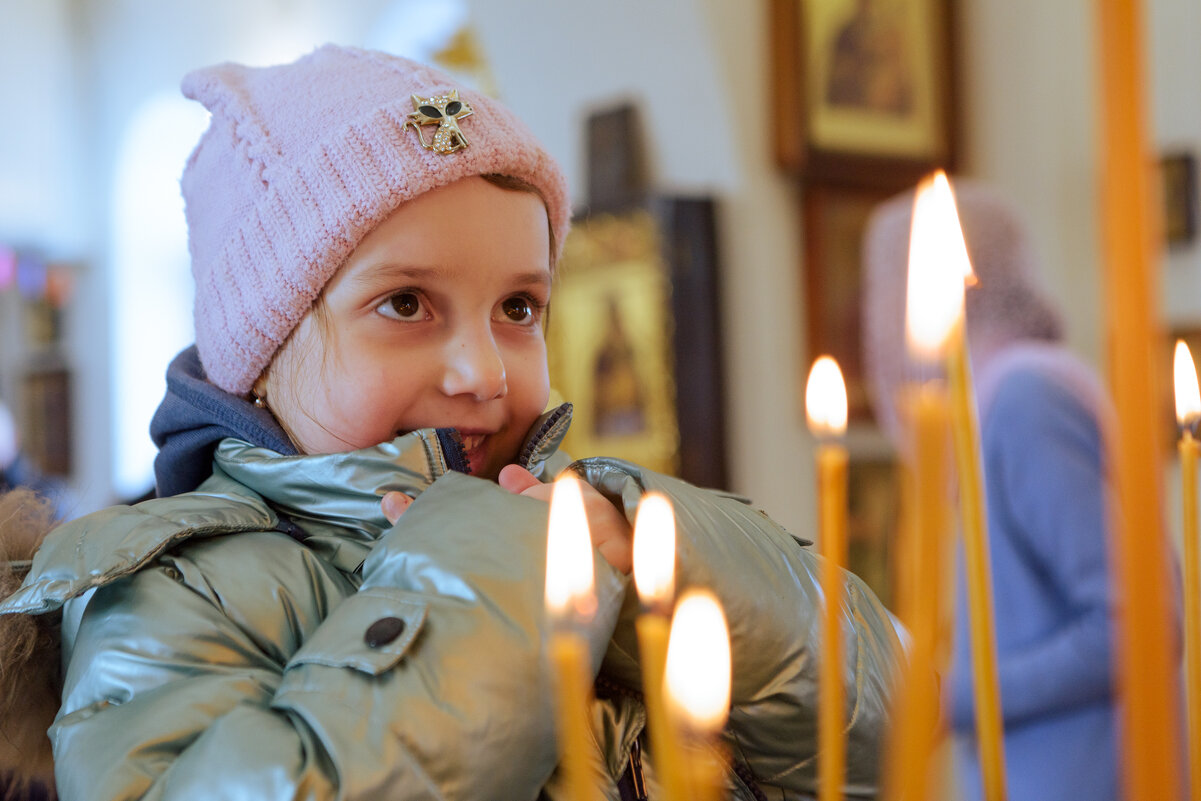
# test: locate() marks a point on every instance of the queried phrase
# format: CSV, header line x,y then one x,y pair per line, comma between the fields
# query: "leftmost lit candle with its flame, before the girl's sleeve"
x,y
570,602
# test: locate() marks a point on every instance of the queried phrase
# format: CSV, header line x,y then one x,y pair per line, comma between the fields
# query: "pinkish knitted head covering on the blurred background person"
x,y
1005,307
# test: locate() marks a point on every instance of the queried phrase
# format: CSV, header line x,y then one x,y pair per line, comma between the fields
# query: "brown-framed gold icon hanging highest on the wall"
x,y
863,89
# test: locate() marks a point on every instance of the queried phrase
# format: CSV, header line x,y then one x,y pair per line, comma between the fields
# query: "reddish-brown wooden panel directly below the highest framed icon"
x,y
835,219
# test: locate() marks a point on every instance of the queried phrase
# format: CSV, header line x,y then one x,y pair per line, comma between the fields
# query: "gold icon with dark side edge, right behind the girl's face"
x,y
622,340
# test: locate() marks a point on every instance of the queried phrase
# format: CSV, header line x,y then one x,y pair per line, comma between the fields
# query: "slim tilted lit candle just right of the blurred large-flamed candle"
x,y
977,561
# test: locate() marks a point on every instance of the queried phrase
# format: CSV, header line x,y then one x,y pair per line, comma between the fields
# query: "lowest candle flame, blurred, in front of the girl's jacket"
x,y
697,679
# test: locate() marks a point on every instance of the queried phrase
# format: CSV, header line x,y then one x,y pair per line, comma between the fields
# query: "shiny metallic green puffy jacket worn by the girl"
x,y
271,636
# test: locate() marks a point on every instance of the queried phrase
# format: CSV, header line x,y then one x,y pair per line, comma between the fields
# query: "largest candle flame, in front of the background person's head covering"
x,y
939,270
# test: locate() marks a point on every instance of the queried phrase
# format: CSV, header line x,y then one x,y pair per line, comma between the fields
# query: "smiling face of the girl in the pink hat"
x,y
435,321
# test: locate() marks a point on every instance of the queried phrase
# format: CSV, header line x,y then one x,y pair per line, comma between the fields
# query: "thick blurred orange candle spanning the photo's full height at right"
x,y
1140,557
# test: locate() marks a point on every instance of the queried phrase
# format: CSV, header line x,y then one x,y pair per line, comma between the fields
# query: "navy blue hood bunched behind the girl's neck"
x,y
194,417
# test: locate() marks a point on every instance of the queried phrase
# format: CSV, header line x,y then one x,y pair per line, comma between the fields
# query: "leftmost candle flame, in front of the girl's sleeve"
x,y
569,552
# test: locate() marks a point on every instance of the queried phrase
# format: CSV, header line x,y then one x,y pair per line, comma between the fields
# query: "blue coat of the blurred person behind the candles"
x,y
1043,439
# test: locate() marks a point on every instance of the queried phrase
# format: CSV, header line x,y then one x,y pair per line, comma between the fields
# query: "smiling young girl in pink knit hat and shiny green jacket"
x,y
339,591
